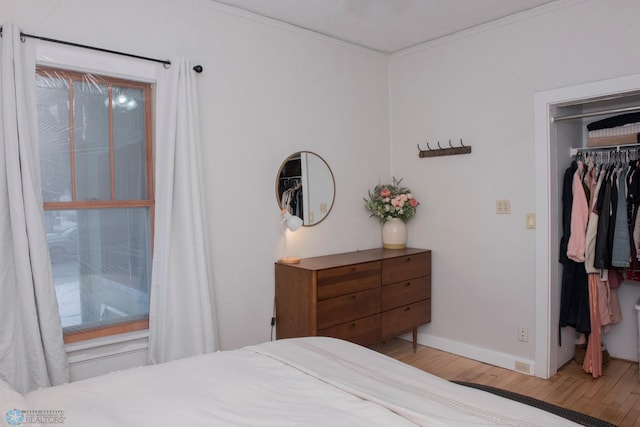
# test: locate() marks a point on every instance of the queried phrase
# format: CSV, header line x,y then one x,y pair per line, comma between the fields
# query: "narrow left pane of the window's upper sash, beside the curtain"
x,y
53,123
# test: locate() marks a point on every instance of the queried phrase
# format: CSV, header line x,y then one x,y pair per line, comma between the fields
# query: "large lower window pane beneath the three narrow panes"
x,y
101,265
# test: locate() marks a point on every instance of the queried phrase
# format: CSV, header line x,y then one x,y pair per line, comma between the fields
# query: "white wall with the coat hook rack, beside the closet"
x,y
480,86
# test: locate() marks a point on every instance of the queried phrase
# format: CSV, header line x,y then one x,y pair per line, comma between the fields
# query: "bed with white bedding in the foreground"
x,y
313,381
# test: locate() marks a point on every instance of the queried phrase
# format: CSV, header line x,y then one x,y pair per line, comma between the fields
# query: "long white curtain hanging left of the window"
x,y
31,341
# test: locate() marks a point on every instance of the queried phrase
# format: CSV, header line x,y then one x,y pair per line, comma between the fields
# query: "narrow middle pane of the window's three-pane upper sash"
x,y
91,140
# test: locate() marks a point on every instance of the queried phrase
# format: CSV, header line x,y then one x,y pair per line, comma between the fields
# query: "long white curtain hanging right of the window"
x,y
181,315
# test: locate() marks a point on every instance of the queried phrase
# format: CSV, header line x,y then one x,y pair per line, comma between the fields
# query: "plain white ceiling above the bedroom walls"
x,y
385,25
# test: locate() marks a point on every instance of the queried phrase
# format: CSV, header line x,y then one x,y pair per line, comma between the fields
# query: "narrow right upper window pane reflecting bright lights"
x,y
129,144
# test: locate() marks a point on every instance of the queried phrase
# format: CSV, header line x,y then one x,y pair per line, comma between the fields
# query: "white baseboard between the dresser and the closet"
x,y
491,357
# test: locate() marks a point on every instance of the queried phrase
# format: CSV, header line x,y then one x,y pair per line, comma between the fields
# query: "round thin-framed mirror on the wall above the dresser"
x,y
305,187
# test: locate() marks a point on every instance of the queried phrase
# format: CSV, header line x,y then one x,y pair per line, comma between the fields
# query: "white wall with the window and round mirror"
x,y
267,90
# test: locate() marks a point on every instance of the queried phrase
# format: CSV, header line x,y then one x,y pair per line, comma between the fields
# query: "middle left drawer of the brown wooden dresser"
x,y
345,308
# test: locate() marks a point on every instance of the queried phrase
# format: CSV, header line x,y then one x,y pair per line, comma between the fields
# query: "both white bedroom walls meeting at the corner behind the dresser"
x,y
269,90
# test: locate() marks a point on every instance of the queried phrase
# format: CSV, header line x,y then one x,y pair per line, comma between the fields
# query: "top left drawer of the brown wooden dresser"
x,y
346,280
